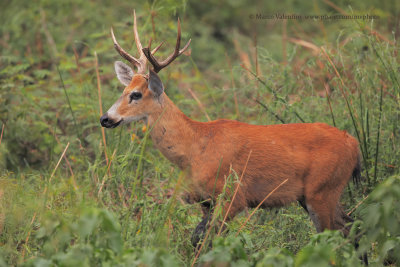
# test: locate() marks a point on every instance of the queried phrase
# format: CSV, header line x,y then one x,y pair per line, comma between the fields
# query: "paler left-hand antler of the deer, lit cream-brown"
x,y
141,62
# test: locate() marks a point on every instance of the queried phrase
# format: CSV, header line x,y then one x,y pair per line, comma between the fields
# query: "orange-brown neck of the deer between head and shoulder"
x,y
172,132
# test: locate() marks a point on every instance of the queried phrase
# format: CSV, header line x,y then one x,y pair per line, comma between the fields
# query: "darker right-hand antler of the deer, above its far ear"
x,y
157,66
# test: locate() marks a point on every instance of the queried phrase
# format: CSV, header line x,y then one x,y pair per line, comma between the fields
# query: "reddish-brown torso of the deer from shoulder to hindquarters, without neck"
x,y
318,160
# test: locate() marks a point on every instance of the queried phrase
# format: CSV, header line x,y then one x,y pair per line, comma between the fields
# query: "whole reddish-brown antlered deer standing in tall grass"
x,y
316,159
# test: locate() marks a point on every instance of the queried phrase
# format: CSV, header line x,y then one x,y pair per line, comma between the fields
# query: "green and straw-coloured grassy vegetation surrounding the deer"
x,y
74,194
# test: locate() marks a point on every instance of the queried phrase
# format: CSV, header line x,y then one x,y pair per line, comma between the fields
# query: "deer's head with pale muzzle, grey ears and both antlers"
x,y
143,92
